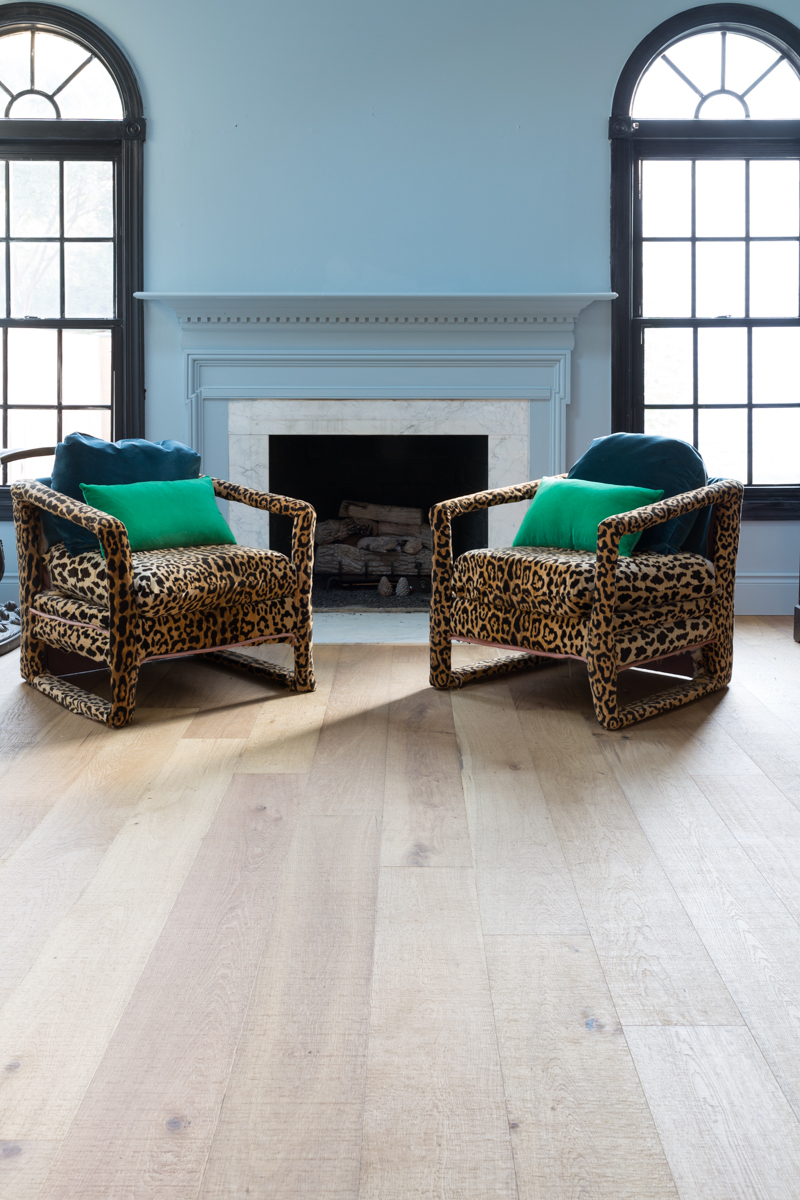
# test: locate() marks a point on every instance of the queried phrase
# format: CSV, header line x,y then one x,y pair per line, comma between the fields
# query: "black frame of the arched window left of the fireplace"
x,y
123,142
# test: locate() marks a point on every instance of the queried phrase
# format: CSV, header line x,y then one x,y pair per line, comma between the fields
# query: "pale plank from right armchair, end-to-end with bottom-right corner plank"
x,y
657,967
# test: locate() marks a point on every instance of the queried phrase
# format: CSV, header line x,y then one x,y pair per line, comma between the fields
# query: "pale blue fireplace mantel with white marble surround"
x,y
258,367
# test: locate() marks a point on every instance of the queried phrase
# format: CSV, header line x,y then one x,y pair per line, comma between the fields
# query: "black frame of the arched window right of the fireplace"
x,y
634,141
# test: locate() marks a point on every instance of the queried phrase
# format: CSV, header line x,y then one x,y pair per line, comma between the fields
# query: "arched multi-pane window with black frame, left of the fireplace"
x,y
71,139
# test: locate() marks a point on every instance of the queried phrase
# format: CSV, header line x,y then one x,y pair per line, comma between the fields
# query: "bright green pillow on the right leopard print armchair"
x,y
566,513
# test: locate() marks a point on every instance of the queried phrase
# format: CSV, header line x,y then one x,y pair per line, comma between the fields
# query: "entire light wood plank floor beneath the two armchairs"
x,y
383,943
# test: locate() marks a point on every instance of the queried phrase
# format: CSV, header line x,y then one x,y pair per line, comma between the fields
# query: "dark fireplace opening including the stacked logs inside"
x,y
372,495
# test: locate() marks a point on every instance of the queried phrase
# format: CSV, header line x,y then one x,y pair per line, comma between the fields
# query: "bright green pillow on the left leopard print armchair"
x,y
164,514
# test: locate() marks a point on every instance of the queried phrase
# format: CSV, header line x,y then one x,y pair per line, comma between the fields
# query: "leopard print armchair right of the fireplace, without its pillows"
x,y
609,613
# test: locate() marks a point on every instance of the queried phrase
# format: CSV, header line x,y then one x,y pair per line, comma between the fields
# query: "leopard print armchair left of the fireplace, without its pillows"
x,y
127,609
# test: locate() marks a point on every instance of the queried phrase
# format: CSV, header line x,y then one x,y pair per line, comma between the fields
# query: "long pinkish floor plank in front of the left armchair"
x,y
167,1065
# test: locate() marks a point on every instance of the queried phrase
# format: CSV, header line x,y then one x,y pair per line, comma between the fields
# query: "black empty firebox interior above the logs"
x,y
414,472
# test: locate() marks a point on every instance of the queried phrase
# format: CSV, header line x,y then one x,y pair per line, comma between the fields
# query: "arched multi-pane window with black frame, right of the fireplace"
x,y
706,245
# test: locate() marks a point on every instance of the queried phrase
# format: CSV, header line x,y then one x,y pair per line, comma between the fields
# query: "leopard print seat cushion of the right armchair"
x,y
563,581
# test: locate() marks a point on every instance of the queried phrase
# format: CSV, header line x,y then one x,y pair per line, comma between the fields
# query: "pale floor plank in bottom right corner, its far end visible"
x,y
725,1124
